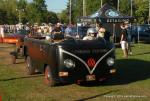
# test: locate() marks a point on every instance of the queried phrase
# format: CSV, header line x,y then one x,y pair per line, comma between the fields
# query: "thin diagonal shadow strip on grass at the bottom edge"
x,y
99,95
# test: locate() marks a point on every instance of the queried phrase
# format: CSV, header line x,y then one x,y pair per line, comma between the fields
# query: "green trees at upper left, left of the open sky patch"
x,y
33,12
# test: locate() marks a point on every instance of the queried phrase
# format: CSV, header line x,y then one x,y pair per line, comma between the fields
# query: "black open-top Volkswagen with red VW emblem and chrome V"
x,y
70,60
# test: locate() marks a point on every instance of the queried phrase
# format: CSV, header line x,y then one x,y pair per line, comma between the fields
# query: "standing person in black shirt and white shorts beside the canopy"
x,y
124,40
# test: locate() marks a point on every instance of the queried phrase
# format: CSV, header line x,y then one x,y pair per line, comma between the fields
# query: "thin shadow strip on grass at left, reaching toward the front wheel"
x,y
23,77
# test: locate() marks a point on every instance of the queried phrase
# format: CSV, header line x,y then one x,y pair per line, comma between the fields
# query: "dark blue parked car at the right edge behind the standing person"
x,y
140,33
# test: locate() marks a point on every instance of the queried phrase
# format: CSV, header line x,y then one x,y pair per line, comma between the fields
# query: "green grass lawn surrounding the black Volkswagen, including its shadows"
x,y
131,83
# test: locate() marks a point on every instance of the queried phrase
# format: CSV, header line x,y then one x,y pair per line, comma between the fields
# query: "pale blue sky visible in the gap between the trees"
x,y
55,5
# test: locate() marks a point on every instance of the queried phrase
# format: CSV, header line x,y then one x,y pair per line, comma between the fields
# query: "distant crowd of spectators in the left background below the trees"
x,y
32,29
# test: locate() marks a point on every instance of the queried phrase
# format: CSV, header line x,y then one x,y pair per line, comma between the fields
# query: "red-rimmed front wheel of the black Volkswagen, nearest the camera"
x,y
48,77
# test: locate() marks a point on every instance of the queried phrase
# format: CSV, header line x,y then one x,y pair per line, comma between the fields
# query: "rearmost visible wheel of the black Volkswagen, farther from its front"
x,y
29,66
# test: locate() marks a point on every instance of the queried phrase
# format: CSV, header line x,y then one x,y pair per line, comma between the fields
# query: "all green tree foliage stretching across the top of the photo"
x,y
36,11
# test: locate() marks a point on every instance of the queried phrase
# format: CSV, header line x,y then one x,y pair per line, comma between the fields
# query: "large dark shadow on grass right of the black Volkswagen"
x,y
130,70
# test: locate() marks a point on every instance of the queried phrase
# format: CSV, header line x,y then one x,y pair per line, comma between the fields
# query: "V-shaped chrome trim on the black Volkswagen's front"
x,y
90,71
